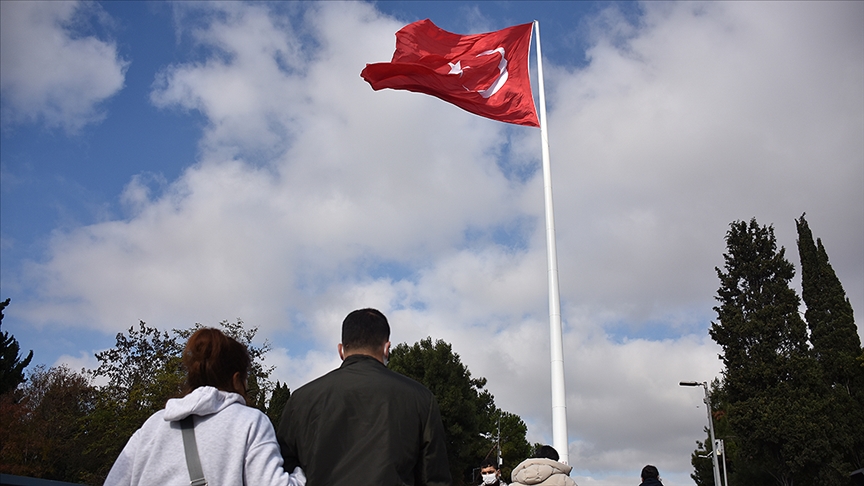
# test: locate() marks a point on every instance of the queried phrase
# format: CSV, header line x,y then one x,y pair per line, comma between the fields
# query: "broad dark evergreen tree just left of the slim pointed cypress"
x,y
772,387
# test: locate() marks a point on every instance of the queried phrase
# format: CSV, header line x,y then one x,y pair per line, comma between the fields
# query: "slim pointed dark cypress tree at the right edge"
x,y
836,346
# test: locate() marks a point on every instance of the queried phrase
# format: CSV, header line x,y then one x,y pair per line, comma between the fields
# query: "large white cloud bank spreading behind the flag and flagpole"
x,y
315,195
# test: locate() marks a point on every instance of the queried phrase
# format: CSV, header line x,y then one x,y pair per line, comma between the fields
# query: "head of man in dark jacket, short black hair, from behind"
x,y
365,331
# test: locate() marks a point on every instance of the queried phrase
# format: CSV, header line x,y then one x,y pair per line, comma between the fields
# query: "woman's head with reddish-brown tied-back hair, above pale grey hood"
x,y
213,359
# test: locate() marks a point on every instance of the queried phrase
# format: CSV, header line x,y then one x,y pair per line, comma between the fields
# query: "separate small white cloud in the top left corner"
x,y
49,72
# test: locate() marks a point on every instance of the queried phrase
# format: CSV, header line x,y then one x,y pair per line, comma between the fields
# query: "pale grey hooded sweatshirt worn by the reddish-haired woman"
x,y
236,444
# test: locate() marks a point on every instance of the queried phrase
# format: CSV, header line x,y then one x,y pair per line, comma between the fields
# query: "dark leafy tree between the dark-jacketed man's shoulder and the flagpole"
x,y
467,410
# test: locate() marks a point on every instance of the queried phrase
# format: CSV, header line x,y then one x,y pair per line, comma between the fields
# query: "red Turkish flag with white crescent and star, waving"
x,y
485,74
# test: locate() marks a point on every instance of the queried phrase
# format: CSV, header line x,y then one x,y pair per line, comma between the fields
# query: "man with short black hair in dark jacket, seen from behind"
x,y
363,424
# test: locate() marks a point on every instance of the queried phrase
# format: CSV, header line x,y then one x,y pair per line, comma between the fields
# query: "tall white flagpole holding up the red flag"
x,y
559,403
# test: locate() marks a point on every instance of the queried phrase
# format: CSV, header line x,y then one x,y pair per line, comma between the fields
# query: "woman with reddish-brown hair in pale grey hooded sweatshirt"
x,y
236,444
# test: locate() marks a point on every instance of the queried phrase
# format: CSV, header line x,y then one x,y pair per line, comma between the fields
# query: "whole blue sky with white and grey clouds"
x,y
201,162
